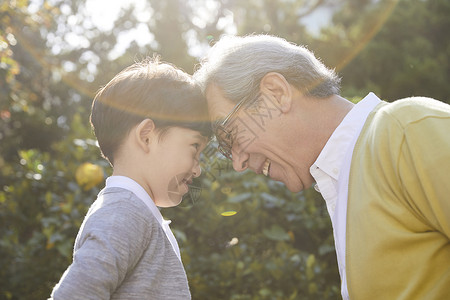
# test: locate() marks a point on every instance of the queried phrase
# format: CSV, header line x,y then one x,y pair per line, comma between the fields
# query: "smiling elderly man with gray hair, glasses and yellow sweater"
x,y
381,167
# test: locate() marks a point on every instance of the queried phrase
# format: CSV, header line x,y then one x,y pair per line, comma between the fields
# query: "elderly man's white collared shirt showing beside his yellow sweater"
x,y
331,173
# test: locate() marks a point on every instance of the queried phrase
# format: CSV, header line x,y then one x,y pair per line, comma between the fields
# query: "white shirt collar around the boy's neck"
x,y
131,185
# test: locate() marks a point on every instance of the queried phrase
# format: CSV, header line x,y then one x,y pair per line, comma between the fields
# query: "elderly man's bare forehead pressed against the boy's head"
x,y
218,105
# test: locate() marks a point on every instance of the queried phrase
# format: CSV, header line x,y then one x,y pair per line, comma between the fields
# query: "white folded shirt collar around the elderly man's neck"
x,y
333,154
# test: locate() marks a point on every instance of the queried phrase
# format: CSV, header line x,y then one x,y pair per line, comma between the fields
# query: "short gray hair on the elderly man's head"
x,y
237,65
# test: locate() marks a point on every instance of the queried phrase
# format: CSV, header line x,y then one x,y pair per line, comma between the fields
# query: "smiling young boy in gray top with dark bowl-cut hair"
x,y
151,123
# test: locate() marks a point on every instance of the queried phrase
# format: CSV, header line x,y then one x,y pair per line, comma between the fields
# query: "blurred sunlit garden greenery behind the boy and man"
x,y
246,237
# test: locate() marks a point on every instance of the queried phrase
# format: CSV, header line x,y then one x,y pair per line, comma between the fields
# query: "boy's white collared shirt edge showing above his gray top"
x,y
134,187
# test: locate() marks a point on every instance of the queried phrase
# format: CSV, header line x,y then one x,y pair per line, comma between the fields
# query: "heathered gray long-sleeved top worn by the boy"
x,y
122,252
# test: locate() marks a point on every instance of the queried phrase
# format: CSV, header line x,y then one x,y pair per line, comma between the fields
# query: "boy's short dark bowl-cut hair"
x,y
147,89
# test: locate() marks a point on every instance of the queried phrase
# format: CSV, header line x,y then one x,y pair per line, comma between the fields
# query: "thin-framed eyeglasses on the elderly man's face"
x,y
225,136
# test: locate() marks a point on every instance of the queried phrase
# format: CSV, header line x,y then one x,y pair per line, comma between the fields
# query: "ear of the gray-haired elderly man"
x,y
276,85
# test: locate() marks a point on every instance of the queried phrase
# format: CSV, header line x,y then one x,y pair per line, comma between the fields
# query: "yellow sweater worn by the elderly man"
x,y
398,215
